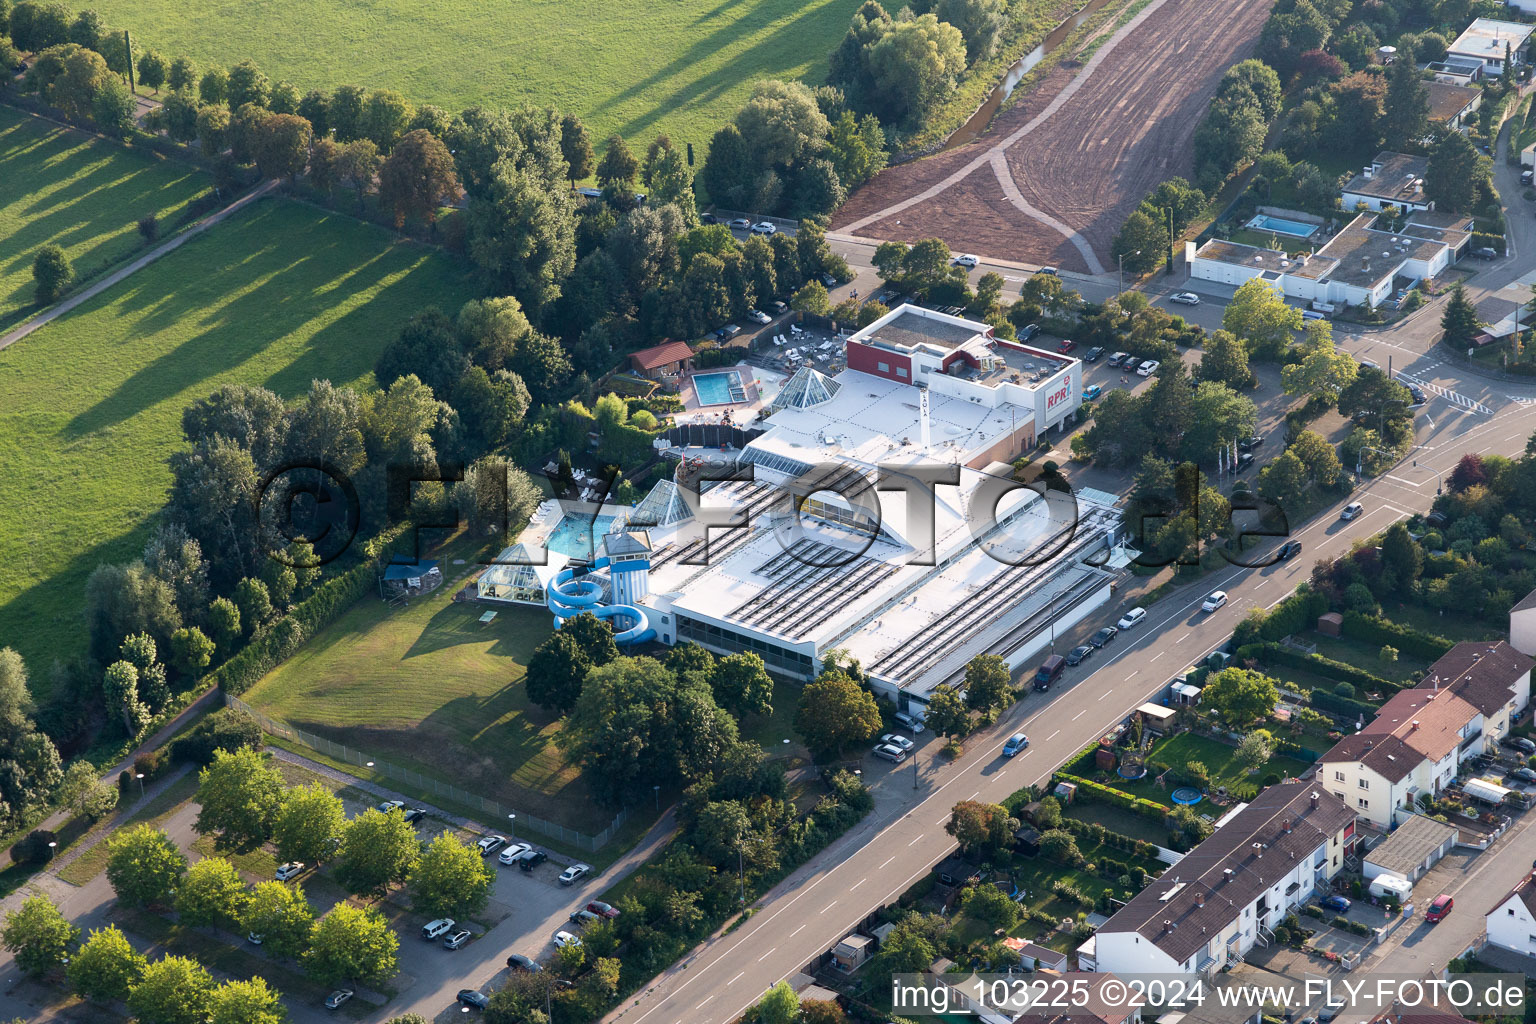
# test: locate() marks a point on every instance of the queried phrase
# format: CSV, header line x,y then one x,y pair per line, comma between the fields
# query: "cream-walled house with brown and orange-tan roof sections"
x,y
1411,748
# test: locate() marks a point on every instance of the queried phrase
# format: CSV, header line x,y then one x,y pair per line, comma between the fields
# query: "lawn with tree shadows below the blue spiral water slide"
x,y
432,689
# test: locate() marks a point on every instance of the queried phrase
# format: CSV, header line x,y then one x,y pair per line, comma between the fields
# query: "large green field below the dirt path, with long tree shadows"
x,y
91,406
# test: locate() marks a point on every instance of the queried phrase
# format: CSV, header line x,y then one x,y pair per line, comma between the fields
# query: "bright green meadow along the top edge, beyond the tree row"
x,y
627,67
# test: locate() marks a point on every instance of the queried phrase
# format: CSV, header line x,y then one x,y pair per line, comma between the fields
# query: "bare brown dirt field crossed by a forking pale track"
x,y
1059,173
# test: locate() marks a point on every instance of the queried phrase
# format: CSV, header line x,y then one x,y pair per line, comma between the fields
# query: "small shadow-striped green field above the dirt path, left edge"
x,y
82,194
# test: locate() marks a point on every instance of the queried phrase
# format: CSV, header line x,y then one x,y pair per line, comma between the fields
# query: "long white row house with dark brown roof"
x,y
1231,891
